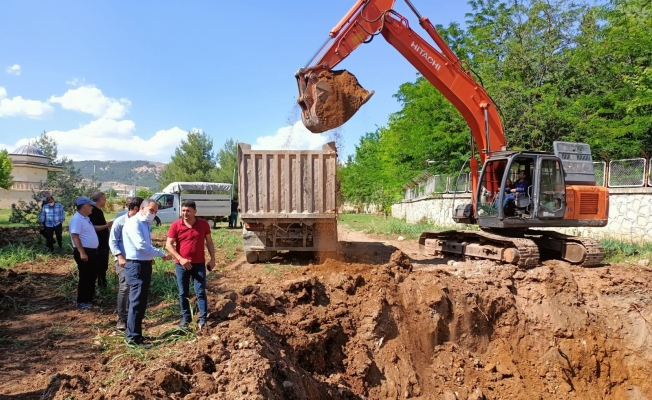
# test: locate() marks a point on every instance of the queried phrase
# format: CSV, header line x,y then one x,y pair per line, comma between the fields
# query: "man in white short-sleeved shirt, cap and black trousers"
x,y
85,243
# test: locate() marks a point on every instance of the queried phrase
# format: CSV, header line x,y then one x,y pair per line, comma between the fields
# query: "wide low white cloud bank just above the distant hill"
x,y
106,139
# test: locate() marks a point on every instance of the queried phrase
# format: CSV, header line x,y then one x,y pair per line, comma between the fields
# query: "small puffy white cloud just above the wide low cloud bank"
x,y
90,100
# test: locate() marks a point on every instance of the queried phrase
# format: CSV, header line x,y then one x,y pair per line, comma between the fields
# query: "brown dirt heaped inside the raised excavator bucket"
x,y
345,98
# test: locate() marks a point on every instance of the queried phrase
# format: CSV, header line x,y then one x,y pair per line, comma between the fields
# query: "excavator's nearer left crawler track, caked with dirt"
x,y
521,251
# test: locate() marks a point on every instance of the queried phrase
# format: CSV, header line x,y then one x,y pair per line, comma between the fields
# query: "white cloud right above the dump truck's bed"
x,y
295,137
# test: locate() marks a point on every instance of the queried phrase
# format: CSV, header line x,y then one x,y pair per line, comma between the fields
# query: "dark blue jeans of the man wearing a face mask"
x,y
139,276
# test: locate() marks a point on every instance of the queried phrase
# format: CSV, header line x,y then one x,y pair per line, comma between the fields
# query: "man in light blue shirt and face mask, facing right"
x,y
139,253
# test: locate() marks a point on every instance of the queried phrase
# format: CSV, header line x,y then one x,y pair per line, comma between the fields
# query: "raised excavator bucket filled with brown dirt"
x,y
329,99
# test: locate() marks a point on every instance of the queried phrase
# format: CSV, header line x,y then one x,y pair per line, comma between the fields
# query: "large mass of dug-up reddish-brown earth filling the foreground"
x,y
469,331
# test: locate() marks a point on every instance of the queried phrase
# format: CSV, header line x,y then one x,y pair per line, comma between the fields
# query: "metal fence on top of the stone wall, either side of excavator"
x,y
632,172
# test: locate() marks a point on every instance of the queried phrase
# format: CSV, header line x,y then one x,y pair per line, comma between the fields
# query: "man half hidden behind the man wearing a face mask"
x,y
118,251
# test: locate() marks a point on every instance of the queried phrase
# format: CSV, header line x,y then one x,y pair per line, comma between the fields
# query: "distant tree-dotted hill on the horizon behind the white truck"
x,y
139,173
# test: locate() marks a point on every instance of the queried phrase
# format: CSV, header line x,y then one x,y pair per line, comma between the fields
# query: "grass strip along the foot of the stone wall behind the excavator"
x,y
617,250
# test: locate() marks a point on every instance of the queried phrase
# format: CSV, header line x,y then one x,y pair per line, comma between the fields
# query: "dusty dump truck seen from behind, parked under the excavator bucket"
x,y
288,201
